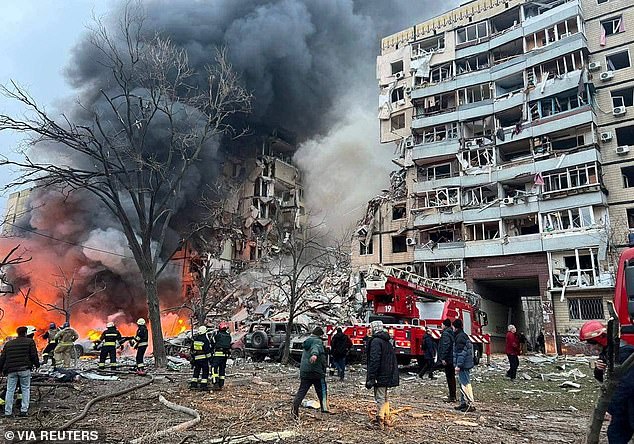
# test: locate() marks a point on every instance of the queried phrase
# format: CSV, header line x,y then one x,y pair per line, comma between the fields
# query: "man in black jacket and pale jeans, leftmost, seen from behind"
x,y
17,359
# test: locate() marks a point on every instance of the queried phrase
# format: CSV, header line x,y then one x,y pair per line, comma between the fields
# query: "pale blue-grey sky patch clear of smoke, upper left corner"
x,y
36,39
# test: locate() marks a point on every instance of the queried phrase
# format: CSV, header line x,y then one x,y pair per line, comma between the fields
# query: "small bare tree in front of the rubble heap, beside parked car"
x,y
306,258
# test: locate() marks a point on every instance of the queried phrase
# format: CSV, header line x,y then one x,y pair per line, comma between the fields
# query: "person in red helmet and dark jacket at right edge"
x,y
621,407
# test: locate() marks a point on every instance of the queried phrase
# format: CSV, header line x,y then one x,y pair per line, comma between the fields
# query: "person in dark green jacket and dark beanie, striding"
x,y
312,372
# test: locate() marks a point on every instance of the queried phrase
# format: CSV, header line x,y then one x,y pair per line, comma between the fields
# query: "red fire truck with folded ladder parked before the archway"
x,y
408,303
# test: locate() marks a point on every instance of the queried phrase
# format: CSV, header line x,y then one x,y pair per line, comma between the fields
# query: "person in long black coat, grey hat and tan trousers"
x,y
382,368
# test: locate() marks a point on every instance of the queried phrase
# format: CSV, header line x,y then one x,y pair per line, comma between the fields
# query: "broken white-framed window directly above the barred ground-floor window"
x,y
575,268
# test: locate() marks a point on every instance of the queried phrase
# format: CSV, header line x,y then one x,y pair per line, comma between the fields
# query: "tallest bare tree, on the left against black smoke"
x,y
153,93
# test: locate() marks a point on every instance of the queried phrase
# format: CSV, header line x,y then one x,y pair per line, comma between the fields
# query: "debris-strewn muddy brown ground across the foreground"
x,y
257,399
